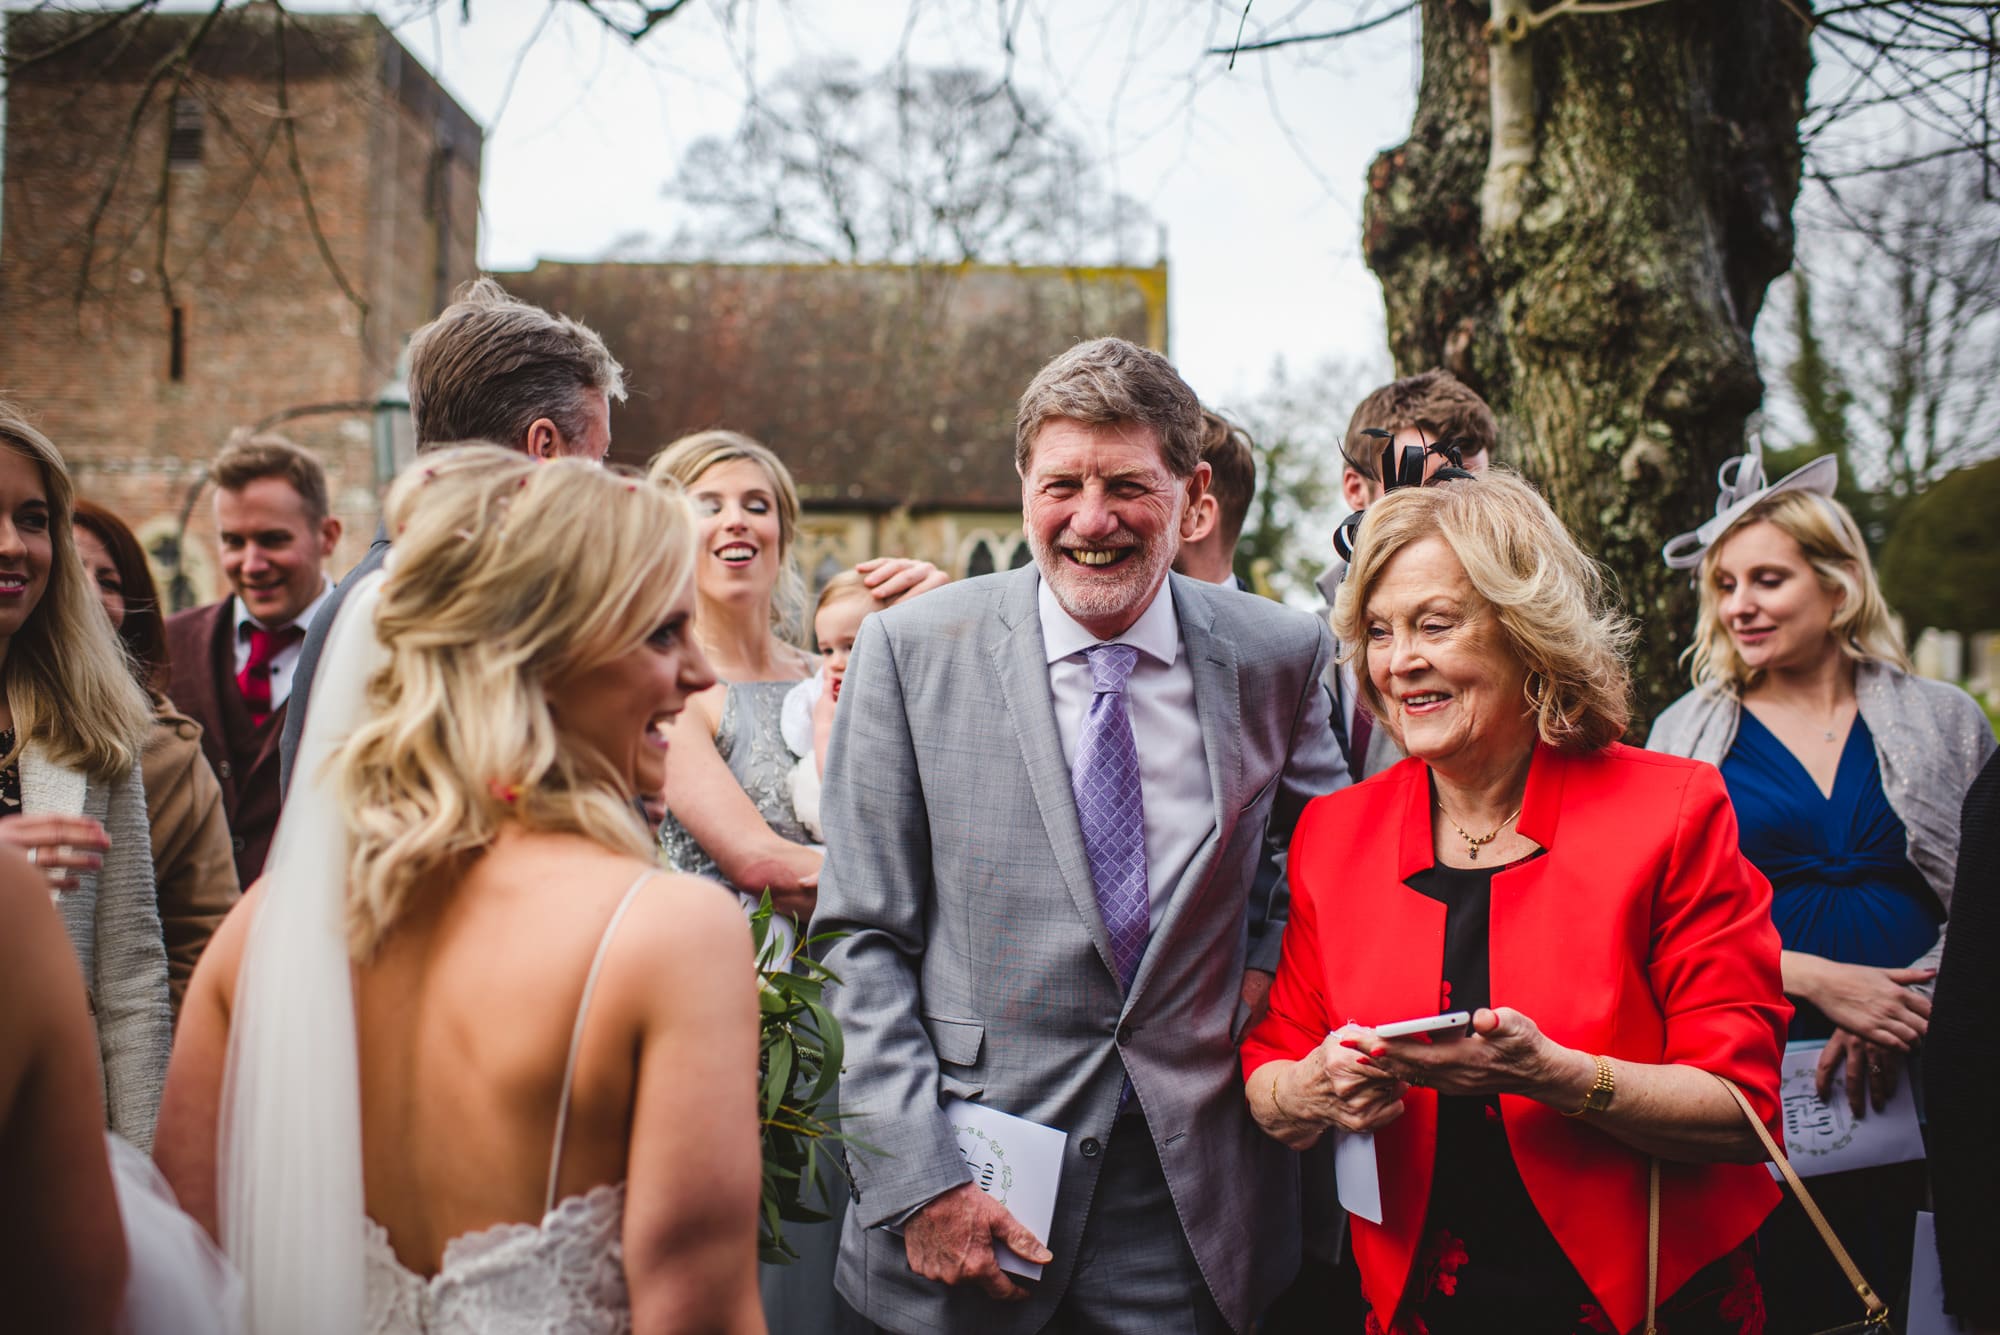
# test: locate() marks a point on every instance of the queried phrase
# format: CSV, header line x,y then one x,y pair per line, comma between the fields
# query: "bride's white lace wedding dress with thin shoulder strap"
x,y
565,1274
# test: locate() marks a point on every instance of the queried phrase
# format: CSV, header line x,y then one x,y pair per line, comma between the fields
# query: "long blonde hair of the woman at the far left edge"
x,y
67,678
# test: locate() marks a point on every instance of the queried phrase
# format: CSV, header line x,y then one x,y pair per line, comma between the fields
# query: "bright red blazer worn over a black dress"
x,y
1641,934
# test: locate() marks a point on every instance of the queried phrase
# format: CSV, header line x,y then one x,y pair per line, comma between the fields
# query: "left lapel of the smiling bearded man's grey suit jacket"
x,y
1023,667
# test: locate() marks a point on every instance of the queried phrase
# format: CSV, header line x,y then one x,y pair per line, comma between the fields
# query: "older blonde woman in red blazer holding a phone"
x,y
1587,904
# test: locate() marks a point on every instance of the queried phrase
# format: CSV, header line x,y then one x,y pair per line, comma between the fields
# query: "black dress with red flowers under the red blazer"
x,y
1487,1262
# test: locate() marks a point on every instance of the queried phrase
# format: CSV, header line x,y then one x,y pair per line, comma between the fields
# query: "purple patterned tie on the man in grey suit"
x,y
1111,808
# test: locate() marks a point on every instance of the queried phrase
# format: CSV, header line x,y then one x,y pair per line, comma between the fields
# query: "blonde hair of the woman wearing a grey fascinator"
x,y
1833,545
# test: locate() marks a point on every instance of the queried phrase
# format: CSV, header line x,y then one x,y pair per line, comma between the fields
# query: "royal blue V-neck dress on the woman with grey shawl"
x,y
1839,866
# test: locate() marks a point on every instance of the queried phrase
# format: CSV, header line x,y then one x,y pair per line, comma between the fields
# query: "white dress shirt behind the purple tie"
x,y
1173,764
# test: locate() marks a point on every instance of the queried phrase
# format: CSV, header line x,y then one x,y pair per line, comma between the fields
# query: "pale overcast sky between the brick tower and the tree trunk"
x,y
1255,173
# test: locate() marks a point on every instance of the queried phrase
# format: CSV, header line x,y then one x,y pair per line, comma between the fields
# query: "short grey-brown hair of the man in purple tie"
x,y
1113,383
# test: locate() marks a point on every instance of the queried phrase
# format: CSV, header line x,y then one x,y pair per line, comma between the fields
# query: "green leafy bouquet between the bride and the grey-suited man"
x,y
799,1068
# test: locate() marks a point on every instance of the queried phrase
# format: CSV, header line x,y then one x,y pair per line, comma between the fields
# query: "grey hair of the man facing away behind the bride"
x,y
491,367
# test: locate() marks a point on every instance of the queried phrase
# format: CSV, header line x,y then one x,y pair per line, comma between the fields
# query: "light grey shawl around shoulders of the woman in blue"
x,y
1931,742
